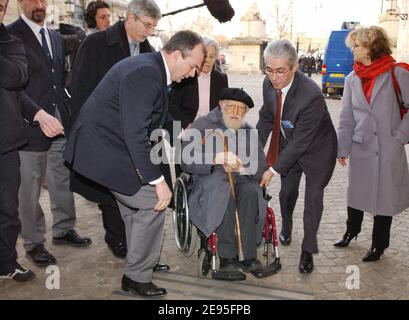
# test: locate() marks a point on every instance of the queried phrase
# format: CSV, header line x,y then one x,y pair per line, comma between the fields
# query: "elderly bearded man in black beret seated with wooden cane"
x,y
226,163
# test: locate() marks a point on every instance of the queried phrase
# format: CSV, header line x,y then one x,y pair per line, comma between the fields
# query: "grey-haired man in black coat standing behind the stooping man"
x,y
97,54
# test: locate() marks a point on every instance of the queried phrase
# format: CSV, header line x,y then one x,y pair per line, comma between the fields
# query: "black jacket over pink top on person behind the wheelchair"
x,y
184,97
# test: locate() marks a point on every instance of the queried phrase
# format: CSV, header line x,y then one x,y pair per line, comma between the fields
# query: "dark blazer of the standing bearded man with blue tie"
x,y
45,86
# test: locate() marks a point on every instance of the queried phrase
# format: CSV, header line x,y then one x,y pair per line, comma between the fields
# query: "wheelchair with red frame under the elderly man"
x,y
188,237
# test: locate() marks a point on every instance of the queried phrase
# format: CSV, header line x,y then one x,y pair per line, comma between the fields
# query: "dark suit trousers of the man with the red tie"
x,y
313,206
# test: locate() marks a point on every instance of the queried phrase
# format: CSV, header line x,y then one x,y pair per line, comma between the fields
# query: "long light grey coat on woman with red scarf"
x,y
373,137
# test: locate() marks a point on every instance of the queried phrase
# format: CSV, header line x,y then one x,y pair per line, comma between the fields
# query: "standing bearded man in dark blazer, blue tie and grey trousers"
x,y
42,156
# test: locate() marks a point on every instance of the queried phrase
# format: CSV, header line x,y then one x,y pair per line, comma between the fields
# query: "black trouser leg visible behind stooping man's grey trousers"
x,y
113,224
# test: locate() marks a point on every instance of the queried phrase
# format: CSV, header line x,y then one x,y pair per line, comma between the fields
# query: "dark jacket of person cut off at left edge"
x,y
13,75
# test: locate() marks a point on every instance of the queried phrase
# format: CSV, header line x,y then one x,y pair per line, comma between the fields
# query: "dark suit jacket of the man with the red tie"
x,y
312,141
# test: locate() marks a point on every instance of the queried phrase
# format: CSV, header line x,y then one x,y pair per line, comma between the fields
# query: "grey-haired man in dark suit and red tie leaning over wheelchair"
x,y
303,141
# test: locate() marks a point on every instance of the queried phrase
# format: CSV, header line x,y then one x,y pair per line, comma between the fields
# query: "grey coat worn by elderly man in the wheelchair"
x,y
210,193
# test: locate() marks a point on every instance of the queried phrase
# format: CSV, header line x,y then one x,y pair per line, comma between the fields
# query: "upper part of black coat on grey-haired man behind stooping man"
x,y
96,55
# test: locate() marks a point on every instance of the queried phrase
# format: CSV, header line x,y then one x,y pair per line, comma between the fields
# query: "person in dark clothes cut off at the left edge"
x,y
13,75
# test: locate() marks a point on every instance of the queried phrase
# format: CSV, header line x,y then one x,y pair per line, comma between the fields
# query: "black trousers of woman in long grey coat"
x,y
381,227
